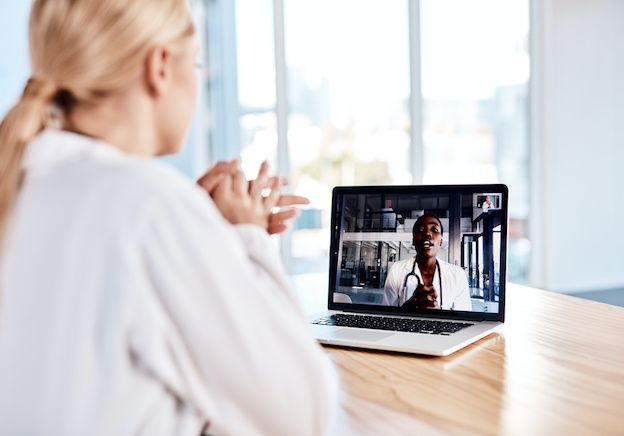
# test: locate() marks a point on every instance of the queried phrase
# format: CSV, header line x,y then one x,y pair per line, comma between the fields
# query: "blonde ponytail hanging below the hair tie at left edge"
x,y
27,118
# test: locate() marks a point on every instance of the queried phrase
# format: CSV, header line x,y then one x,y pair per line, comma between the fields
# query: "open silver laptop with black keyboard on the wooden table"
x,y
415,269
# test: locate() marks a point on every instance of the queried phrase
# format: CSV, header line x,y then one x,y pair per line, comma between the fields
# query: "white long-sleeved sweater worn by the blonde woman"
x,y
129,306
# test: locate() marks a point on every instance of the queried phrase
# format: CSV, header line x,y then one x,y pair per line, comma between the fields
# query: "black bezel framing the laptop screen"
x,y
336,217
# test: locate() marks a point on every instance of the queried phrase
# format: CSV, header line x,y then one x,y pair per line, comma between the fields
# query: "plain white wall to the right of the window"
x,y
578,144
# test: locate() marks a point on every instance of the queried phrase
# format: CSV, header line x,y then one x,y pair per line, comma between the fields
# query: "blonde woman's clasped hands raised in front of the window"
x,y
250,202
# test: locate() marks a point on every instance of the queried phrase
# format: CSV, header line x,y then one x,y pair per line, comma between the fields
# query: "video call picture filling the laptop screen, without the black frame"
x,y
426,251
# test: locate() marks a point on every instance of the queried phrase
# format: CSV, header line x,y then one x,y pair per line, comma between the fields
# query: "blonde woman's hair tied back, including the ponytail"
x,y
80,52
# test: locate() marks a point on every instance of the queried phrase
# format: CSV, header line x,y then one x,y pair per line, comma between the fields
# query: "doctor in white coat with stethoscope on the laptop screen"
x,y
426,282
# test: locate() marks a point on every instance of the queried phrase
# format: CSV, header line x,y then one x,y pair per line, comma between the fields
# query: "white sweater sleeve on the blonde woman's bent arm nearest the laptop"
x,y
241,351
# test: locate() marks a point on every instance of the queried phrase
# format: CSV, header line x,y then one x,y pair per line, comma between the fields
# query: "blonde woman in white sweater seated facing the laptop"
x,y
131,302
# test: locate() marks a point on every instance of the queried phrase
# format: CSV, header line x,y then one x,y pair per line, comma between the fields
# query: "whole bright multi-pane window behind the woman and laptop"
x,y
357,75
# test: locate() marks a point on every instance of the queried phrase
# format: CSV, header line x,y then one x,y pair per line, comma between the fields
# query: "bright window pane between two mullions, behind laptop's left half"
x,y
348,117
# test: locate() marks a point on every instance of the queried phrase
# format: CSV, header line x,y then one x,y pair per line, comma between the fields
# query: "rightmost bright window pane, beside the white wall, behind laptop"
x,y
475,73
